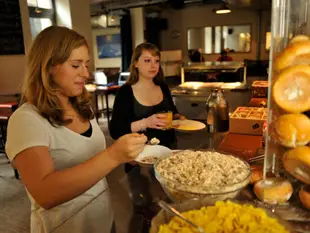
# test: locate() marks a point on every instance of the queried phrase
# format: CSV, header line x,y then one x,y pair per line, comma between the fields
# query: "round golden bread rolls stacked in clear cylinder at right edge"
x,y
290,127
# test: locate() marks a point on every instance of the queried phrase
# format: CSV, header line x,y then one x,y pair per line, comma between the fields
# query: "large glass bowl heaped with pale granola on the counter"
x,y
204,174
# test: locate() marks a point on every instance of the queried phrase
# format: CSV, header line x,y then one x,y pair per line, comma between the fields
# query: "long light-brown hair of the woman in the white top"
x,y
51,47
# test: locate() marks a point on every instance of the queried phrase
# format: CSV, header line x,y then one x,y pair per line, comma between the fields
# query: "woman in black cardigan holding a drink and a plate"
x,y
139,102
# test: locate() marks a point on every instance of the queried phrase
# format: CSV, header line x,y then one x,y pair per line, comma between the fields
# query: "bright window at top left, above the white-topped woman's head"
x,y
42,15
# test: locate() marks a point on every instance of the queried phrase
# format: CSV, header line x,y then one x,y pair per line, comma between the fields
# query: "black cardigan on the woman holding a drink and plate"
x,y
123,110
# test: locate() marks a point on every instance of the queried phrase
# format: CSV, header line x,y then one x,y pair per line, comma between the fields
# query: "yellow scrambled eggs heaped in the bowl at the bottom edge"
x,y
226,217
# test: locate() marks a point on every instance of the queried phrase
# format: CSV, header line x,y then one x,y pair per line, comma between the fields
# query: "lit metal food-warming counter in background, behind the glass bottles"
x,y
197,81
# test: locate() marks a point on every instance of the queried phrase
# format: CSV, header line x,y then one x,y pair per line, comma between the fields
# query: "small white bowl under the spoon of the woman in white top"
x,y
152,151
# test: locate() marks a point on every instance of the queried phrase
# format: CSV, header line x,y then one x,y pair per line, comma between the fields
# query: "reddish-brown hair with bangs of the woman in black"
x,y
134,72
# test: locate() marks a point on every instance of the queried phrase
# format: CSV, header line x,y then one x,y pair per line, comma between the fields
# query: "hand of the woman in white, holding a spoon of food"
x,y
128,147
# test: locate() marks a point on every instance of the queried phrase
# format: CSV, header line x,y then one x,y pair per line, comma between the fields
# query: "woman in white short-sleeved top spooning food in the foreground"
x,y
56,144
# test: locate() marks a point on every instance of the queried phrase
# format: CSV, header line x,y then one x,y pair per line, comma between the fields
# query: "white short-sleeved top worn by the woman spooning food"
x,y
90,212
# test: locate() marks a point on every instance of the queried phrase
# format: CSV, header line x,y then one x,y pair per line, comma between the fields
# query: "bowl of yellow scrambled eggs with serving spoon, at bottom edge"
x,y
219,217
